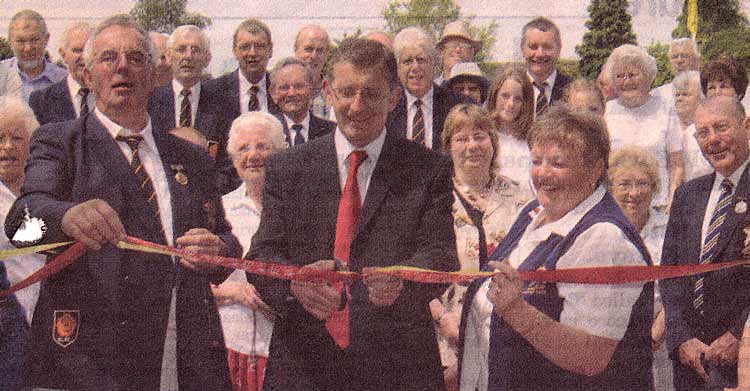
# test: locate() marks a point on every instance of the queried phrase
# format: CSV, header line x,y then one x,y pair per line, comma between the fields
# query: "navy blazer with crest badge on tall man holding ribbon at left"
x,y
122,297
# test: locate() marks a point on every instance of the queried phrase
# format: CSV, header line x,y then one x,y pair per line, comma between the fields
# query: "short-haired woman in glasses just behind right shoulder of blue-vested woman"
x,y
633,181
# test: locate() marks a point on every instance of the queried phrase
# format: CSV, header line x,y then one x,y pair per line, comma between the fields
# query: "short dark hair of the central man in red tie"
x,y
366,54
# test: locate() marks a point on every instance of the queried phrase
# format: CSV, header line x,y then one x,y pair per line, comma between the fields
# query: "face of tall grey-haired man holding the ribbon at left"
x,y
121,75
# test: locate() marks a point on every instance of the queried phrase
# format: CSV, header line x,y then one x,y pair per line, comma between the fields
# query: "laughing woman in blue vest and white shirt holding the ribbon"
x,y
544,336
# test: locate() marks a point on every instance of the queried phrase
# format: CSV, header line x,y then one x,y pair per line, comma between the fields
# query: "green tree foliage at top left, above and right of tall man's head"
x,y
165,15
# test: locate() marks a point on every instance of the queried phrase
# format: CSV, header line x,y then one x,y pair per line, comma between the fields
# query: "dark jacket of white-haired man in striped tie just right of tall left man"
x,y
210,120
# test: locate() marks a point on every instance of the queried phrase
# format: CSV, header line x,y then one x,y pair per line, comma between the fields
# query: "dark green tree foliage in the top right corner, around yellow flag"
x,y
720,24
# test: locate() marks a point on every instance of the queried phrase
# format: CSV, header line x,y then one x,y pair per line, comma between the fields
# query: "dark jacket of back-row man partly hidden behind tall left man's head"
x,y
53,104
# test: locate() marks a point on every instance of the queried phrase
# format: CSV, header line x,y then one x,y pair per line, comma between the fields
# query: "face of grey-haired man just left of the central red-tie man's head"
x,y
291,90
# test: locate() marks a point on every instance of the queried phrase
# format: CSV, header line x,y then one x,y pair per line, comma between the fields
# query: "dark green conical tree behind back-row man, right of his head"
x,y
609,26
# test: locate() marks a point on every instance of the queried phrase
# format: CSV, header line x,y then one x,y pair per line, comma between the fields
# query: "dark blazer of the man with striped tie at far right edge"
x,y
726,292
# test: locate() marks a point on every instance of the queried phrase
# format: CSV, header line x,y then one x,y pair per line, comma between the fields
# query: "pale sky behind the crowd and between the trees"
x,y
653,20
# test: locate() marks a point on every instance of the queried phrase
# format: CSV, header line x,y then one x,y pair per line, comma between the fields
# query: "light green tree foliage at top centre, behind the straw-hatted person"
x,y
432,16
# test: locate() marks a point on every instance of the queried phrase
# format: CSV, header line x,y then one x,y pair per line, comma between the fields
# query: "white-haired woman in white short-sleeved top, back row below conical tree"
x,y
638,117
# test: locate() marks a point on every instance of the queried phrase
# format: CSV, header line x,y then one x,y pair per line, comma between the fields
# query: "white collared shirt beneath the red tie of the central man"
x,y
364,173
